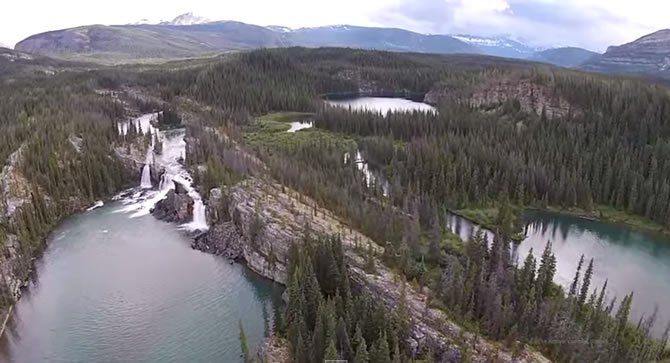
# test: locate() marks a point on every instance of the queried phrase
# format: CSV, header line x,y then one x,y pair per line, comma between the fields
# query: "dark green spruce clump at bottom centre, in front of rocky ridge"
x,y
325,320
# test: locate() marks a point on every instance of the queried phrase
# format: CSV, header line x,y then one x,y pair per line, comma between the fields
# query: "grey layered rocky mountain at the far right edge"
x,y
648,56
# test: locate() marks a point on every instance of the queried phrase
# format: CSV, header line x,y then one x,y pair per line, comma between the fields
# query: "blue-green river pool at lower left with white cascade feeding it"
x,y
117,285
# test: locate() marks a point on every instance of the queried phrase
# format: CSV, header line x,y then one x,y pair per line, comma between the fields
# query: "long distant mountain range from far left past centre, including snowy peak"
x,y
122,43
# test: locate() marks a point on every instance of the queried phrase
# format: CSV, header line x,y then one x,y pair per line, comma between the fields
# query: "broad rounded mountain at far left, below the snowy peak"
x,y
118,43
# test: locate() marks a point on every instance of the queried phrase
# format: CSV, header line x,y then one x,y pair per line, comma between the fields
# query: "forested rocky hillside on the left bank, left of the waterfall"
x,y
56,145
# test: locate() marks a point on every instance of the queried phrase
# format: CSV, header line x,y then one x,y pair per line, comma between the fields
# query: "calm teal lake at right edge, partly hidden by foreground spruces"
x,y
631,261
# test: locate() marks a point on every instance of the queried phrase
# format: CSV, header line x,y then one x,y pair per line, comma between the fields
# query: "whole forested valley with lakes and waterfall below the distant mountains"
x,y
238,173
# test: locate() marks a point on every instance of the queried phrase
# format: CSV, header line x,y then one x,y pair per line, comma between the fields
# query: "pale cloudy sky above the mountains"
x,y
593,24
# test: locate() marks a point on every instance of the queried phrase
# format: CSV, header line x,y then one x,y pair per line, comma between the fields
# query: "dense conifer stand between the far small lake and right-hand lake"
x,y
606,155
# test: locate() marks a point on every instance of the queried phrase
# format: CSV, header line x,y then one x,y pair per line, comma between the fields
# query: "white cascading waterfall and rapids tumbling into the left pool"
x,y
171,159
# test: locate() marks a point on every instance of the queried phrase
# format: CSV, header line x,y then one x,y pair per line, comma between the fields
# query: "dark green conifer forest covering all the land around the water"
x,y
605,145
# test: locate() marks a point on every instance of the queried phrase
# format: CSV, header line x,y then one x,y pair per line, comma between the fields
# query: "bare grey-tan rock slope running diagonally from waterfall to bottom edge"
x,y
267,219
